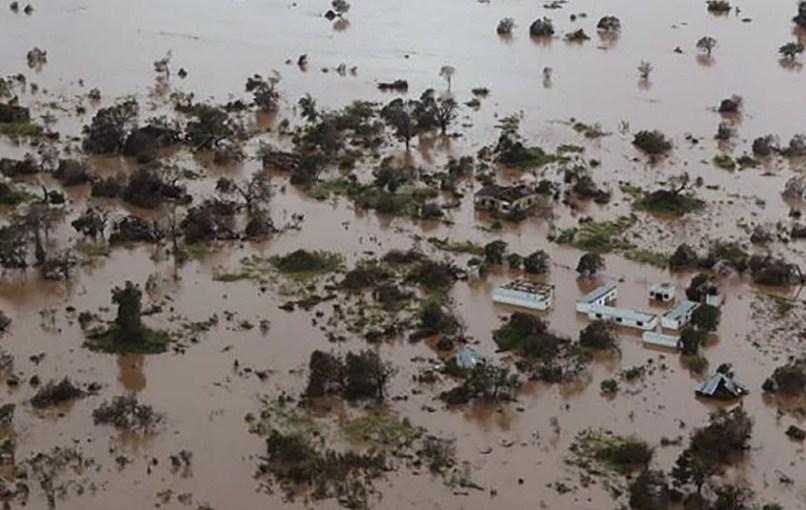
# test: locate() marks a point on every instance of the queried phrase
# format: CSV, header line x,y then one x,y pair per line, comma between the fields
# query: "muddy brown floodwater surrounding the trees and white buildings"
x,y
111,45
